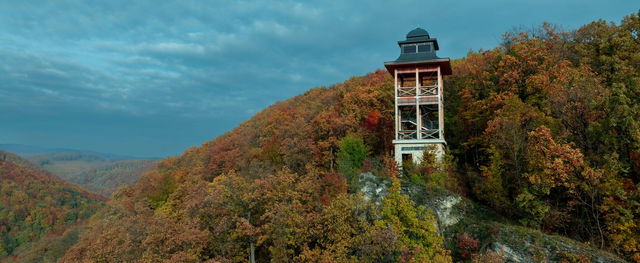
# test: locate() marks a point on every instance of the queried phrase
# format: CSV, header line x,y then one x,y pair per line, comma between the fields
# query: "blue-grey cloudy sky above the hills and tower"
x,y
151,78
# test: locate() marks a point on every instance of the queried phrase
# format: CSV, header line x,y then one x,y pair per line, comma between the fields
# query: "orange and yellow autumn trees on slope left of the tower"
x,y
282,186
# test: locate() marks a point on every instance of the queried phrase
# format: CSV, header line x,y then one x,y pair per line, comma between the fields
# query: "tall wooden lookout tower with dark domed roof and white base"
x,y
419,116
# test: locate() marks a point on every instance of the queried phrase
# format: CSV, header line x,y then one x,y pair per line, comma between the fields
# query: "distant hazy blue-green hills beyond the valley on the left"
x,y
94,172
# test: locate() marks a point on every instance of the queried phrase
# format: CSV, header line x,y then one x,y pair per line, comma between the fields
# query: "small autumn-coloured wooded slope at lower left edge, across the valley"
x,y
34,205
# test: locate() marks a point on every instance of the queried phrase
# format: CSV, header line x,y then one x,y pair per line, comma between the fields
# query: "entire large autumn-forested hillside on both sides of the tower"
x,y
544,130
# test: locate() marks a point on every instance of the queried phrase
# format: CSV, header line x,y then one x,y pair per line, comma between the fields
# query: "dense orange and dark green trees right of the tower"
x,y
546,128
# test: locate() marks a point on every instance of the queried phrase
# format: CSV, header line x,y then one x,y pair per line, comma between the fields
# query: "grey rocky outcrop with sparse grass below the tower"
x,y
457,215
